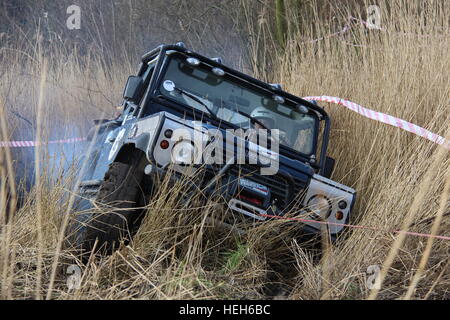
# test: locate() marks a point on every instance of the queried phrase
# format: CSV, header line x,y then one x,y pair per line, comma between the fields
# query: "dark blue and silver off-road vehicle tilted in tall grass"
x,y
177,90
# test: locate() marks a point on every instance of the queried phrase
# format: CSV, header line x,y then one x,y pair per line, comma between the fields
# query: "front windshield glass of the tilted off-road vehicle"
x,y
230,99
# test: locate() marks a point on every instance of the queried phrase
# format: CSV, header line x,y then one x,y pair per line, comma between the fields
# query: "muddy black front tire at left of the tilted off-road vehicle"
x,y
119,197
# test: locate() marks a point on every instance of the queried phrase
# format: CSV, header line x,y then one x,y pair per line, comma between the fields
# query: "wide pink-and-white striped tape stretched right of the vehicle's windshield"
x,y
385,118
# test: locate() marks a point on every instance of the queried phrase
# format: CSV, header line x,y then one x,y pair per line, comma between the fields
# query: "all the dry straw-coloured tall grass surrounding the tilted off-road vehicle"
x,y
177,253
